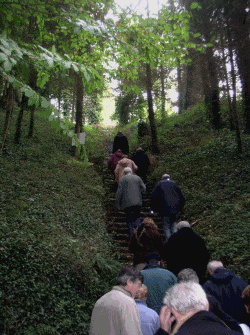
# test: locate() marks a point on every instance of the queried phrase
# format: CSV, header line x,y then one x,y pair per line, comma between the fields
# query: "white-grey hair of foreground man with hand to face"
x,y
185,297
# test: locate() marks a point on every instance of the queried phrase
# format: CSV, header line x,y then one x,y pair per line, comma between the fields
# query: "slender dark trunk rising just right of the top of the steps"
x,y
155,148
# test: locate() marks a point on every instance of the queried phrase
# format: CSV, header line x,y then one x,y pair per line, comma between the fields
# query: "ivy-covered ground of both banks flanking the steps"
x,y
56,256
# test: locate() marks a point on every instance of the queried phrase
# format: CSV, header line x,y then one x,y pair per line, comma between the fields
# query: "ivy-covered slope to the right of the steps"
x,y
215,181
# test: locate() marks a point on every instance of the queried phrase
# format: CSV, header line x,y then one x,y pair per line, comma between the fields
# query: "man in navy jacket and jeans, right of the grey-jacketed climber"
x,y
167,200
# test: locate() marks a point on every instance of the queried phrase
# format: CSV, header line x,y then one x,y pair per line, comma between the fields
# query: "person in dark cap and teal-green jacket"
x,y
157,280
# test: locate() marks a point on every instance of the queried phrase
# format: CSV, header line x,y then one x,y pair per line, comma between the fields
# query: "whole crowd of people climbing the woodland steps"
x,y
173,286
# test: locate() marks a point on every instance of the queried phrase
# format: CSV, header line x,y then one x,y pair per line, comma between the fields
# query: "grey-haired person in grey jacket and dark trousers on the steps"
x,y
129,198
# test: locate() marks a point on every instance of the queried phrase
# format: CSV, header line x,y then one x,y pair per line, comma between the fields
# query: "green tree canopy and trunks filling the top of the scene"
x,y
69,51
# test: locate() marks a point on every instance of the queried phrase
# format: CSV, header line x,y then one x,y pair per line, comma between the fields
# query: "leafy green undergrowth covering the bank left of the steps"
x,y
56,256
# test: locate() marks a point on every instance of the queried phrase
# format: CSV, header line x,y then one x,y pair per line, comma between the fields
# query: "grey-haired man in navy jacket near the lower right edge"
x,y
227,288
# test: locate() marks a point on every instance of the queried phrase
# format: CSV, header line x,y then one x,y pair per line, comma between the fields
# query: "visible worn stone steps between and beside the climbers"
x,y
116,220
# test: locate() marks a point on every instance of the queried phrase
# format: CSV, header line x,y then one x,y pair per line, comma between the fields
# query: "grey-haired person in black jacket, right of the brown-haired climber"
x,y
186,249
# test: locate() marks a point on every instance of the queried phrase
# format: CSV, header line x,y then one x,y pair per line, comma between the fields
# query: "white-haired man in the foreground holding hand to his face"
x,y
186,308
